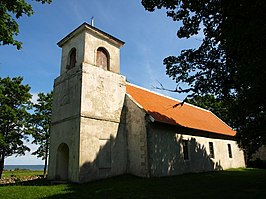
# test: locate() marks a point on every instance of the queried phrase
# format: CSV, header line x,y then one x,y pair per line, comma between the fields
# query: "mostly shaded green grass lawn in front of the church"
x,y
235,183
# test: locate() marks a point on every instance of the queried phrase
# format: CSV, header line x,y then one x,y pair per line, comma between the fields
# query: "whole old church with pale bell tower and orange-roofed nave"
x,y
103,126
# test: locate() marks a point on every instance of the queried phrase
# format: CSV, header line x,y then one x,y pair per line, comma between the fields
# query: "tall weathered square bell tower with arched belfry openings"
x,y
88,138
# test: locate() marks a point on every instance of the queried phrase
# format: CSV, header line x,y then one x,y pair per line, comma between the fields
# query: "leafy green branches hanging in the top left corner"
x,y
9,28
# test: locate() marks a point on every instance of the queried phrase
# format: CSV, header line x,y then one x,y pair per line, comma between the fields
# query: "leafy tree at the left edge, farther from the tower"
x,y
14,103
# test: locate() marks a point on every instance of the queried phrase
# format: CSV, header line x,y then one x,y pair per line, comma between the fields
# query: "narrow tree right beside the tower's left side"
x,y
40,126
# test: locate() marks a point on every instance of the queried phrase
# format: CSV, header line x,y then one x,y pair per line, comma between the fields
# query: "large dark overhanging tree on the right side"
x,y
229,64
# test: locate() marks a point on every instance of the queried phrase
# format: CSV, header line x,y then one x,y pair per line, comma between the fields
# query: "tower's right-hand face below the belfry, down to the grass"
x,y
102,131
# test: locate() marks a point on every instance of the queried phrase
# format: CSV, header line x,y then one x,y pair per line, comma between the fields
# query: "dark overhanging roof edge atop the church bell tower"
x,y
86,26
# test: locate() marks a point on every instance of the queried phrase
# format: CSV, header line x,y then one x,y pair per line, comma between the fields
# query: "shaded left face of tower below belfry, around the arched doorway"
x,y
65,123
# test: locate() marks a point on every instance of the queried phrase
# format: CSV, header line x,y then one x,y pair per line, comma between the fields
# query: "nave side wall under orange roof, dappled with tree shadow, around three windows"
x,y
166,152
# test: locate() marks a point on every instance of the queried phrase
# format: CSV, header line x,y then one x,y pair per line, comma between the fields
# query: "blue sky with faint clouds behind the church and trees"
x,y
149,38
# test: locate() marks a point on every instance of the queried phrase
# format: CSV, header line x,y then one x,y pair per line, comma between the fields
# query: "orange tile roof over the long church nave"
x,y
161,109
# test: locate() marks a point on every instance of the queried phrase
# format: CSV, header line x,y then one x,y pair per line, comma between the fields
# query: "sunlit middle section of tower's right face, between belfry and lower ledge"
x,y
103,93
